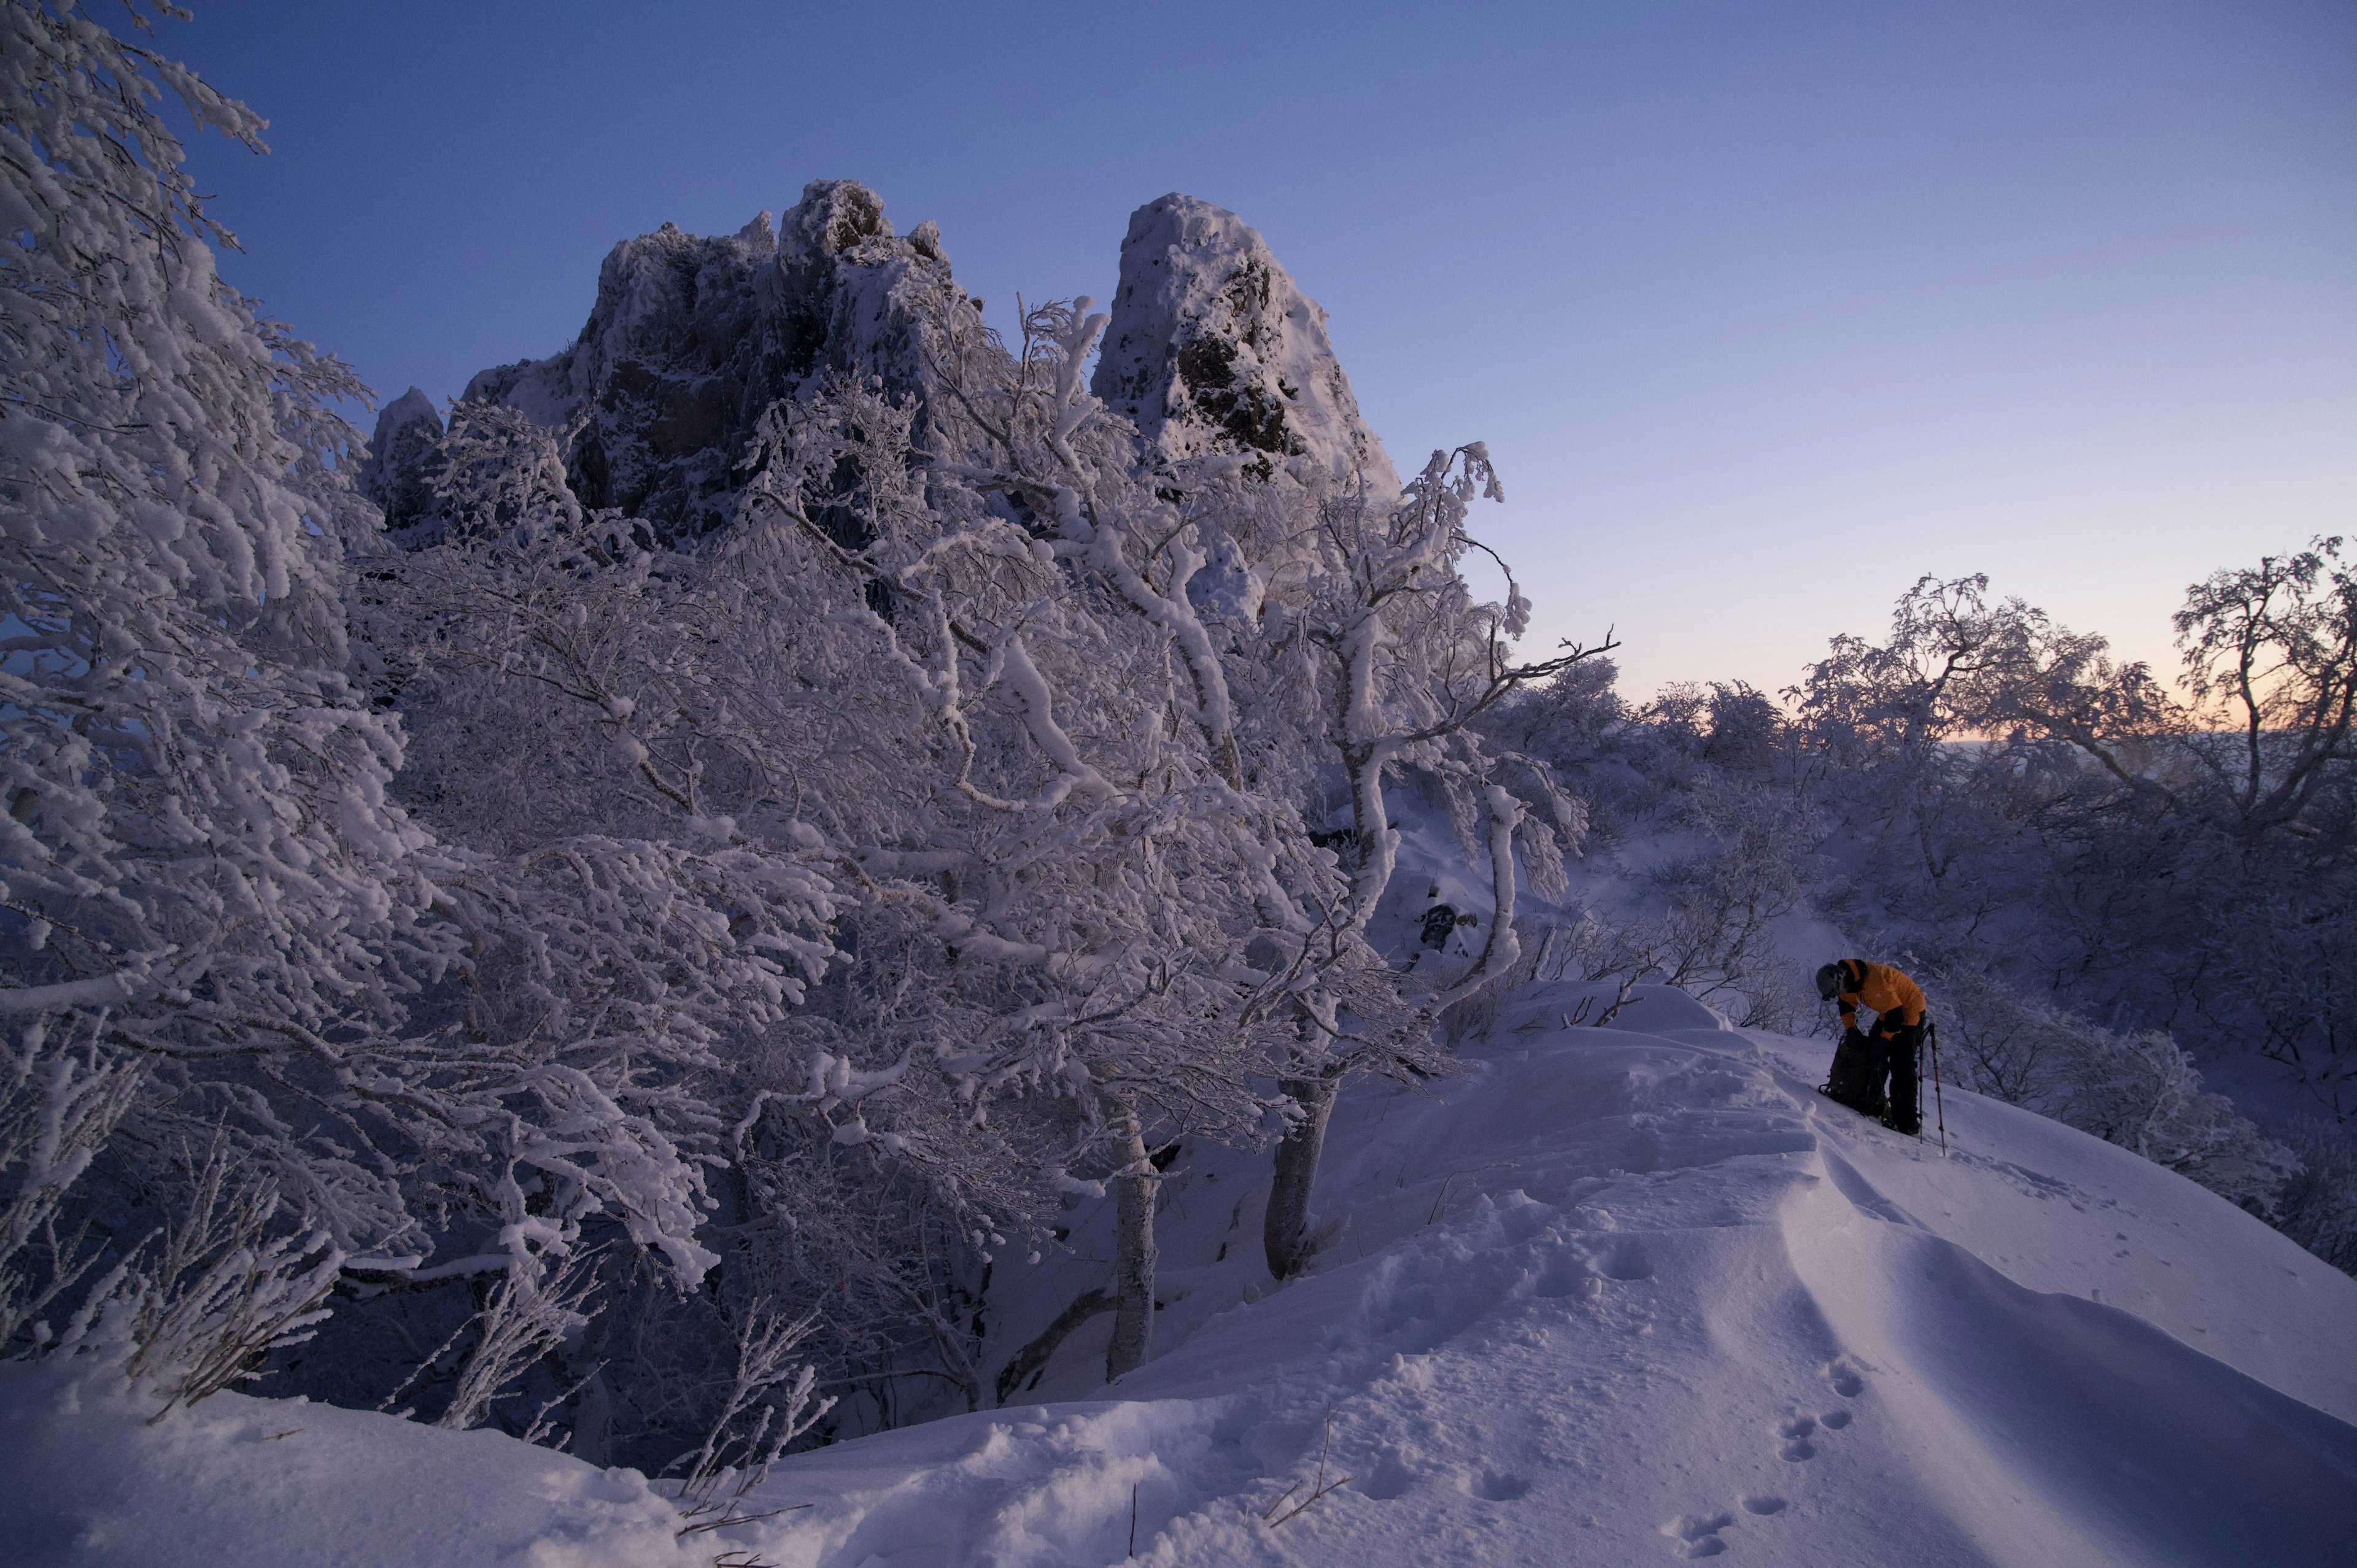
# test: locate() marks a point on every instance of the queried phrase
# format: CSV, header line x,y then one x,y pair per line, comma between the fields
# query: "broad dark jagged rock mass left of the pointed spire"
x,y
692,338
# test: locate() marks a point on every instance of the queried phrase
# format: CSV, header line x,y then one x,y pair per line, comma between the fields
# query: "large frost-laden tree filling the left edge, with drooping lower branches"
x,y
220,928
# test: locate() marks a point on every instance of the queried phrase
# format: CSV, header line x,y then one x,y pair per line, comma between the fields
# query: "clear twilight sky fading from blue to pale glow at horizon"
x,y
1764,310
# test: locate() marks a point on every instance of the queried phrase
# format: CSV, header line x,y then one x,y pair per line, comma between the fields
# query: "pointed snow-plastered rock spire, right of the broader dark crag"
x,y
1215,350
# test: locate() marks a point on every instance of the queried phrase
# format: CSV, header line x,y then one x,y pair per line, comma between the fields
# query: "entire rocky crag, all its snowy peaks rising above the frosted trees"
x,y
1210,350
